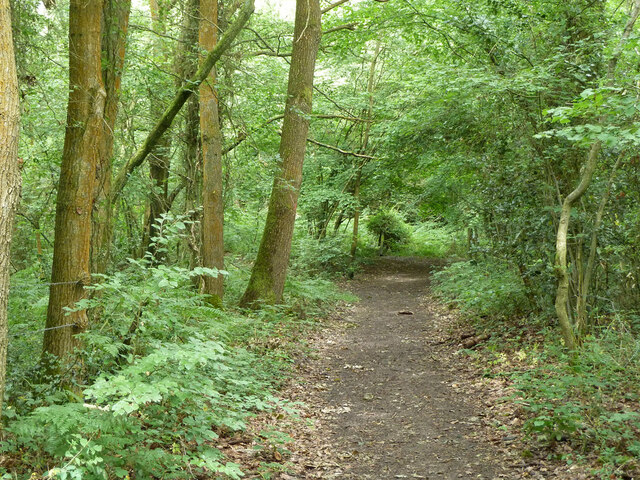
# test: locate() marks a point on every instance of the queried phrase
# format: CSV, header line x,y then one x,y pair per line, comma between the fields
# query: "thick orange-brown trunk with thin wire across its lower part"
x,y
74,204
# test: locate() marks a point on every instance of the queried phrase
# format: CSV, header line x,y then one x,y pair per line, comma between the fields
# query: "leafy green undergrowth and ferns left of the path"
x,y
162,374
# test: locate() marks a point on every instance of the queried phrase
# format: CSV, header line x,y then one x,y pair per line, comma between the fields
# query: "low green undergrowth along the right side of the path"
x,y
579,407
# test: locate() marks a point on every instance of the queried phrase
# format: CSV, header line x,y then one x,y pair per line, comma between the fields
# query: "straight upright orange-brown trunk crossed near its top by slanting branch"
x,y
212,201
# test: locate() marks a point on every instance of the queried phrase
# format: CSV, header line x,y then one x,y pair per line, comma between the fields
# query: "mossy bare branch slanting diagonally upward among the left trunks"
x,y
181,97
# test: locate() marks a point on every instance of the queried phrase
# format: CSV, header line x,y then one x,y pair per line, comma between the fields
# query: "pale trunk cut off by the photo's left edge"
x,y
9,172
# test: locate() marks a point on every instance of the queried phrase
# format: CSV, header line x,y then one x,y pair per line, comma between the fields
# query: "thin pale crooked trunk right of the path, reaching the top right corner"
x,y
562,292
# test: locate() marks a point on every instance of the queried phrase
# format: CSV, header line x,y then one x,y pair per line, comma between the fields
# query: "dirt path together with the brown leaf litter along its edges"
x,y
387,396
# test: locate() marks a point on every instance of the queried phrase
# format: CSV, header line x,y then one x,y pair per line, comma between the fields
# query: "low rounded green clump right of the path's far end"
x,y
484,289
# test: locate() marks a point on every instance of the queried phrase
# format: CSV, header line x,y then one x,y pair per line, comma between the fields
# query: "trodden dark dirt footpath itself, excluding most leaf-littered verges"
x,y
386,405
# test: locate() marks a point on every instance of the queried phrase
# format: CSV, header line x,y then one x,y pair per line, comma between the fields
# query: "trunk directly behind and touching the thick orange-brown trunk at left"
x,y
115,21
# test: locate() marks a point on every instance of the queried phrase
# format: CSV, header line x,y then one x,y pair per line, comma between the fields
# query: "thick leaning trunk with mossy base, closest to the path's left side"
x,y
269,271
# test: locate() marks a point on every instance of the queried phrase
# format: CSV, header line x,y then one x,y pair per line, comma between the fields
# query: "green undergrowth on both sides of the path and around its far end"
x,y
166,375
